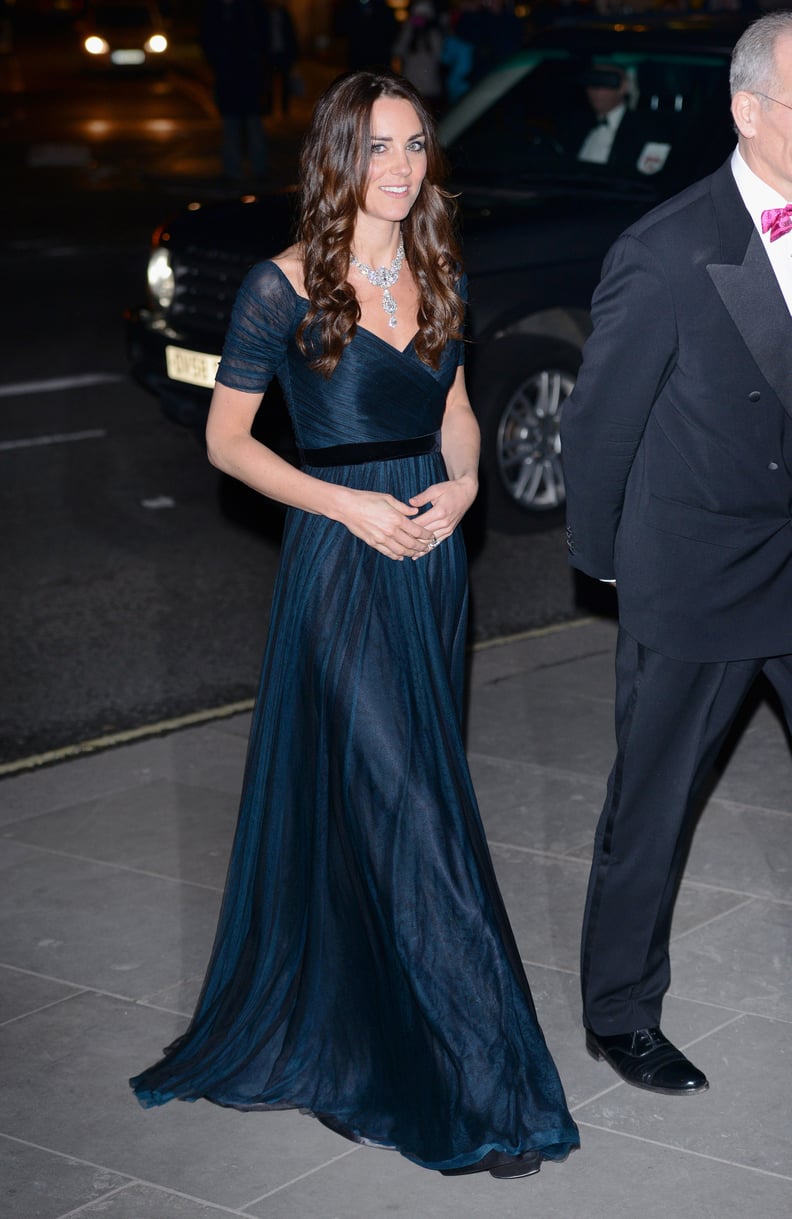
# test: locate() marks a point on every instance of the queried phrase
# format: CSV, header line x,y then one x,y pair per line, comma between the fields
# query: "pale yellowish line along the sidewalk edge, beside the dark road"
x,y
160,728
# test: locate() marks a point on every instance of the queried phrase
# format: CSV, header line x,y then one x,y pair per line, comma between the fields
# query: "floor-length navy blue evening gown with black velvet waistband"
x,y
365,970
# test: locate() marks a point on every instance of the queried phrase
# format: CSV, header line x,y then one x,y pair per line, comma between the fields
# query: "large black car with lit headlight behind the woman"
x,y
537,224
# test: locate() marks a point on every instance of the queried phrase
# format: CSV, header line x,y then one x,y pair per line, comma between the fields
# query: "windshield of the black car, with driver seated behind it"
x,y
527,123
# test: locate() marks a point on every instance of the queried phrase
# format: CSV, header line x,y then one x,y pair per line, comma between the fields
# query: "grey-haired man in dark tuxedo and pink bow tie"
x,y
678,455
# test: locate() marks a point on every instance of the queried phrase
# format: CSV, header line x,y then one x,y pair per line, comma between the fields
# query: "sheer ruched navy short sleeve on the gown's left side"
x,y
263,322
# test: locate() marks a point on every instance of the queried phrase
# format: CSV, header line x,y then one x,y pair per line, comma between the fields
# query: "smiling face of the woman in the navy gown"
x,y
398,163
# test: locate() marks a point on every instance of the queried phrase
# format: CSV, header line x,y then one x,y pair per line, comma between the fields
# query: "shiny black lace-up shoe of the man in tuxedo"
x,y
648,1060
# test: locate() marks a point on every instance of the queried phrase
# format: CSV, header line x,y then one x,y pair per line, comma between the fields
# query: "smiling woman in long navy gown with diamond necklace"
x,y
365,970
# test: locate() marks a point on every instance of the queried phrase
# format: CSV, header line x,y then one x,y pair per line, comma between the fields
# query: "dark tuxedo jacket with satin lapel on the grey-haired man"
x,y
677,441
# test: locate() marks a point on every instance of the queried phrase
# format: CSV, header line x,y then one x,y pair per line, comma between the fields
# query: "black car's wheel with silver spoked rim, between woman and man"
x,y
521,388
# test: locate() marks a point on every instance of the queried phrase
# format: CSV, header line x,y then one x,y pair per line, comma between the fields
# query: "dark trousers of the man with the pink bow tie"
x,y
672,719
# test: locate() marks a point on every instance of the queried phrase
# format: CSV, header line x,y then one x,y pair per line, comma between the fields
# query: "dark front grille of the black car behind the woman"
x,y
207,283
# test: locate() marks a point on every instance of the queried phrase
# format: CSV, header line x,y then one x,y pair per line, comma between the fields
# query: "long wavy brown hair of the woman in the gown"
x,y
334,174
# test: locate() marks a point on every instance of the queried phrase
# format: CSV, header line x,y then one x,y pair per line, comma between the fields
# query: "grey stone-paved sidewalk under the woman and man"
x,y
113,867
